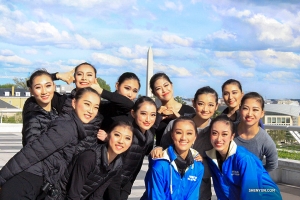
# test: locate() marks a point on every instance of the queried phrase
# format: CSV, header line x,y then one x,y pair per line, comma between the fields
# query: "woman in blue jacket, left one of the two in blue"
x,y
176,175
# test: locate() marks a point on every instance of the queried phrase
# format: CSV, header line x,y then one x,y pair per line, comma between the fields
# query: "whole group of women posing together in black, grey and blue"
x,y
91,144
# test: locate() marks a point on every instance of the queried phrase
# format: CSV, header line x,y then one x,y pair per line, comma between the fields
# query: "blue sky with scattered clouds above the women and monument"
x,y
196,42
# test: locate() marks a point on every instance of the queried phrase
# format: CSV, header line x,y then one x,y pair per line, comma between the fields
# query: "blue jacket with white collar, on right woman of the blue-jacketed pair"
x,y
243,176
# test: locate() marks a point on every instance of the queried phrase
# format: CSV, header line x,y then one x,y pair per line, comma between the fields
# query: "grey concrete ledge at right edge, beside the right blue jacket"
x,y
288,172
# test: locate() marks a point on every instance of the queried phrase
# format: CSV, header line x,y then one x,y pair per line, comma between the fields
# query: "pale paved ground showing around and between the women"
x,y
10,143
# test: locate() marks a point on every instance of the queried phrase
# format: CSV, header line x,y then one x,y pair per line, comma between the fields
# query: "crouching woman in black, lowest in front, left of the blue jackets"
x,y
93,170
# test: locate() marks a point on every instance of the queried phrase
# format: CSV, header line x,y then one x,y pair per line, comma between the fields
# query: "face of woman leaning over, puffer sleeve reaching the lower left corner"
x,y
87,106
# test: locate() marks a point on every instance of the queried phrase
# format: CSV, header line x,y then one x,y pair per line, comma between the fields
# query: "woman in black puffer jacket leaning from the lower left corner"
x,y
53,150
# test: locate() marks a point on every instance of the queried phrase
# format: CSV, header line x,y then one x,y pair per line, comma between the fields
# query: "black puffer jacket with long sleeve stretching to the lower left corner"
x,y
55,148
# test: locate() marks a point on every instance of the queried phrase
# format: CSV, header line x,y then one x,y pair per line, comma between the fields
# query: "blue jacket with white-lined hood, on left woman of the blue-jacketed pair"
x,y
163,181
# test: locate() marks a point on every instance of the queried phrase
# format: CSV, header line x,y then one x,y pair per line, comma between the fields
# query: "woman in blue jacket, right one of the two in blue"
x,y
236,172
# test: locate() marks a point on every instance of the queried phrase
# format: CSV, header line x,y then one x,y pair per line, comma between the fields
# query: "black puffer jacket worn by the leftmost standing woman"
x,y
36,121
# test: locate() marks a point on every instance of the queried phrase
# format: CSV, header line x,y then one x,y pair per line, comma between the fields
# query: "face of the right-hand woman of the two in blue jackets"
x,y
220,136
